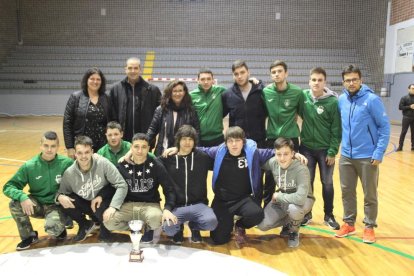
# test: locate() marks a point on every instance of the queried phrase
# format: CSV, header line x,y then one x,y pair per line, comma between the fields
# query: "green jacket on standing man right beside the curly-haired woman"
x,y
209,108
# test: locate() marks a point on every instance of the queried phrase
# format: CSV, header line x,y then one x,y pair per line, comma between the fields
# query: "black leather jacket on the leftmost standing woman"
x,y
74,118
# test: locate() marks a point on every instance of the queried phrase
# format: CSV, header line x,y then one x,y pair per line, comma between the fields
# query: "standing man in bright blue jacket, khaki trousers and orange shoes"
x,y
365,136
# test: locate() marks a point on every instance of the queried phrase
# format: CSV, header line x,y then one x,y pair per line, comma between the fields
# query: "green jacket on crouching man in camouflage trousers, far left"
x,y
42,177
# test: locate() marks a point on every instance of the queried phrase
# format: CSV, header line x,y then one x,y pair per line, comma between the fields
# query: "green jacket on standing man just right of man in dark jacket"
x,y
282,108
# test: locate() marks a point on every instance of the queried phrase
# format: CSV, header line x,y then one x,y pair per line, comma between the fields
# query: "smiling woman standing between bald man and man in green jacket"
x,y
176,109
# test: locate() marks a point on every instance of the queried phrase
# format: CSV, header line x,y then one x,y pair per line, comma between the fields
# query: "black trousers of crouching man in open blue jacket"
x,y
250,211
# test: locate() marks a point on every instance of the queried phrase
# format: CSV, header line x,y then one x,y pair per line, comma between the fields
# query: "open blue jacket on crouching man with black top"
x,y
255,159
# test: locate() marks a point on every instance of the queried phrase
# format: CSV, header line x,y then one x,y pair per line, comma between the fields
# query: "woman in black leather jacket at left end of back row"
x,y
87,112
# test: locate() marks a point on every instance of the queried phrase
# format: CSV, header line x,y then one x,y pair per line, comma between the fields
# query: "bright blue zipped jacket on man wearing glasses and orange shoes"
x,y
365,125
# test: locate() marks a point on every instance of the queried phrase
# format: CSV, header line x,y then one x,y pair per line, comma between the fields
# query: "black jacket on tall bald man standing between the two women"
x,y
150,98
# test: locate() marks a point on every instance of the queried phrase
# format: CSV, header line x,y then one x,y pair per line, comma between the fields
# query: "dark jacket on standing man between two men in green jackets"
x,y
250,115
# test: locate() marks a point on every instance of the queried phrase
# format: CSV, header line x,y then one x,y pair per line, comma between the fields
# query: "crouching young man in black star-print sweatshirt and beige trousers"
x,y
142,202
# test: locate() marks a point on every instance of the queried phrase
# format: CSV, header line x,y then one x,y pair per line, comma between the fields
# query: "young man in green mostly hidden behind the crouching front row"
x,y
116,147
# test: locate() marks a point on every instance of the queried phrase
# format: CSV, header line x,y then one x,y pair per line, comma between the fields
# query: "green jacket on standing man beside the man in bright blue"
x,y
321,126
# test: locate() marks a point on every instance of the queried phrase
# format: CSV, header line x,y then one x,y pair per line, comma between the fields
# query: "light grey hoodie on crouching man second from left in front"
x,y
87,185
